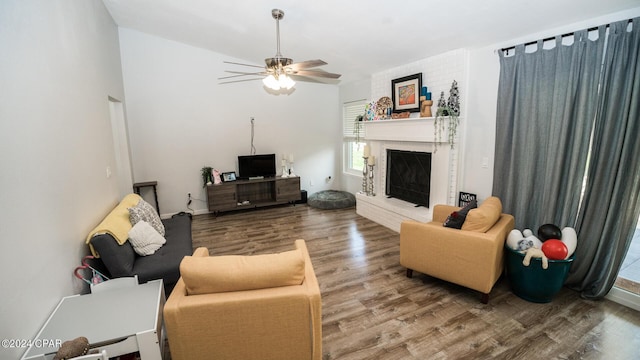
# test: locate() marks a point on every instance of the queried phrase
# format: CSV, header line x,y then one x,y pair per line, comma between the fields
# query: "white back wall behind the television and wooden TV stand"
x,y
181,119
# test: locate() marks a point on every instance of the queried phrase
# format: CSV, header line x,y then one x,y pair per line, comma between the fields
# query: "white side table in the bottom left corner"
x,y
120,321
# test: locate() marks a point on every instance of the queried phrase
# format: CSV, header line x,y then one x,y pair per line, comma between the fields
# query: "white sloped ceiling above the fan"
x,y
355,38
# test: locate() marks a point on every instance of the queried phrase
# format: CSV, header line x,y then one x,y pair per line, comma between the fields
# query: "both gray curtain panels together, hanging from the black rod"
x,y
563,113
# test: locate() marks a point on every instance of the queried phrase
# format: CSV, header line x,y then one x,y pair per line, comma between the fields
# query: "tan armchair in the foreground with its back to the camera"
x,y
245,307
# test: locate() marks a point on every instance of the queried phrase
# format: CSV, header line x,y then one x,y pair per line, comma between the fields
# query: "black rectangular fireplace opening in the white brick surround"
x,y
409,176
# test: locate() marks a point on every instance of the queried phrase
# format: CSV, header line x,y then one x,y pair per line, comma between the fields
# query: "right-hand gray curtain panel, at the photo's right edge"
x,y
611,204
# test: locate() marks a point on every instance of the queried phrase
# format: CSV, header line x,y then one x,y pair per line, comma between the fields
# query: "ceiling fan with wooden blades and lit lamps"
x,y
279,70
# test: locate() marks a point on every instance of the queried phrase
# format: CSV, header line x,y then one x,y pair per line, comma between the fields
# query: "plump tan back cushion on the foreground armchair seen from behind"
x,y
216,274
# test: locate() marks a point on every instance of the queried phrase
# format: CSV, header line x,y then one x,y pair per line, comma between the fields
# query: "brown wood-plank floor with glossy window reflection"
x,y
371,310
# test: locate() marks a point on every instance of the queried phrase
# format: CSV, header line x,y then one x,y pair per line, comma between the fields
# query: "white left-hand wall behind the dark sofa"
x,y
59,64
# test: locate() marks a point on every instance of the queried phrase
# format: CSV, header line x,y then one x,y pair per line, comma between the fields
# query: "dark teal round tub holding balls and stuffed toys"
x,y
533,283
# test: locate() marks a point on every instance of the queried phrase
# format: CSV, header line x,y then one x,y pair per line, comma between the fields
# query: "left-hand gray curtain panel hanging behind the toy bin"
x,y
546,105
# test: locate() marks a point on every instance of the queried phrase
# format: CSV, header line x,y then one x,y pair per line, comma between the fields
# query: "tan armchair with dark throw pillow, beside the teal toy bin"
x,y
472,256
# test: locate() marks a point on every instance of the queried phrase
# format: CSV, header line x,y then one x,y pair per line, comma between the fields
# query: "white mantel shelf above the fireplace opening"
x,y
408,129
